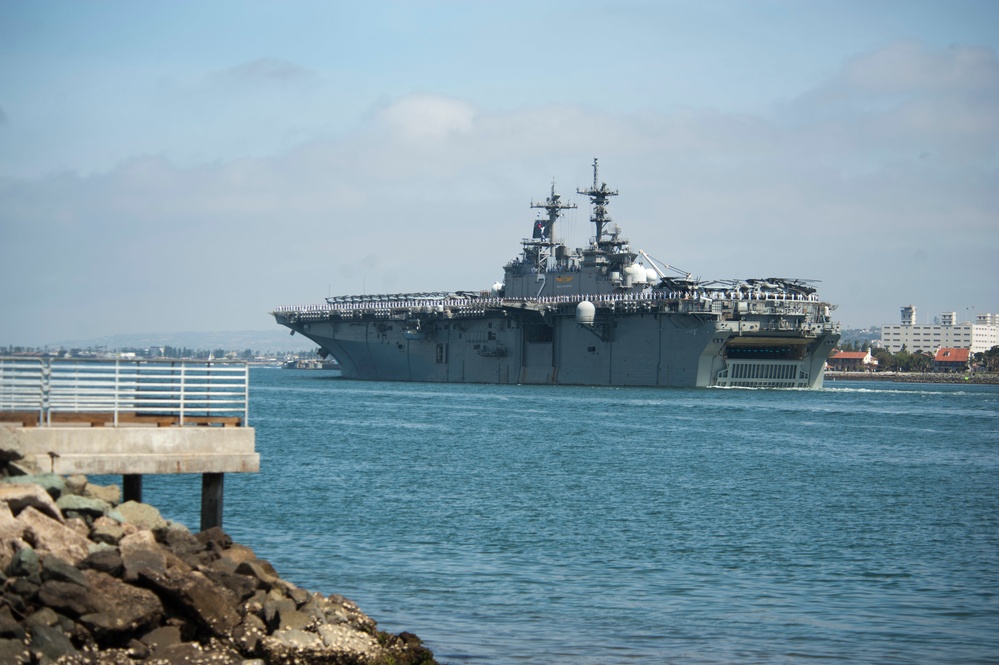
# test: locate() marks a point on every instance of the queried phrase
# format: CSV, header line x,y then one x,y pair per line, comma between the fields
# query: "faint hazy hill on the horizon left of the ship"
x,y
277,340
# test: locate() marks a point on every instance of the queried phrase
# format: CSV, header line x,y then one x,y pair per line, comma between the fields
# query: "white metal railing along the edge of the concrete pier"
x,y
185,389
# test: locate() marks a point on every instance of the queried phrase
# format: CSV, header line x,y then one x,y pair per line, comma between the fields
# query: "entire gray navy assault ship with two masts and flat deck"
x,y
601,315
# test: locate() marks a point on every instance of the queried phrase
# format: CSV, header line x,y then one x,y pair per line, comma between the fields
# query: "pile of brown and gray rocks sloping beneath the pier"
x,y
87,579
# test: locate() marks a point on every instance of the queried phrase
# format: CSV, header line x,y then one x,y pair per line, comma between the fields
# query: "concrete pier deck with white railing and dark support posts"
x,y
130,419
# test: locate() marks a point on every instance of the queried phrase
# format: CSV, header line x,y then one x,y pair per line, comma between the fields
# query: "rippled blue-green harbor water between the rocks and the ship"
x,y
527,524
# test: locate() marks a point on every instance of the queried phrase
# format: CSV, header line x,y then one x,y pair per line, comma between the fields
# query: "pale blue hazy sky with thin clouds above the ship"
x,y
188,166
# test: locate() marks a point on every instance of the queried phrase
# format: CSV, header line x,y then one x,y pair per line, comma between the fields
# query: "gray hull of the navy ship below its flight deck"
x,y
508,346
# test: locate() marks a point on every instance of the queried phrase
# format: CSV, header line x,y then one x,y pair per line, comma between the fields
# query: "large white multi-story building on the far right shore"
x,y
979,336
